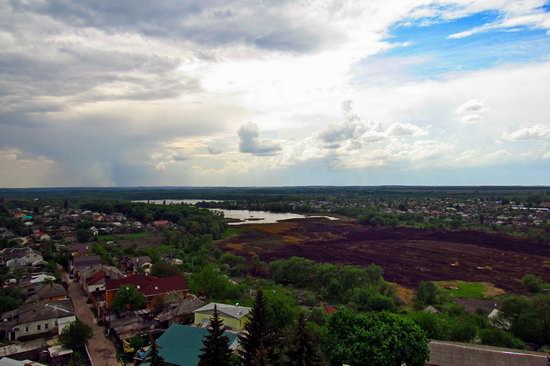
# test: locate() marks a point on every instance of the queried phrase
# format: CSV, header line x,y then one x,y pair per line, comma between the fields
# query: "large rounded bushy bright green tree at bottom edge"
x,y
381,339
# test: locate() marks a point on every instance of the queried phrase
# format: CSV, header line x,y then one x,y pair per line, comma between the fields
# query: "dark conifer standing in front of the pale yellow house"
x,y
216,350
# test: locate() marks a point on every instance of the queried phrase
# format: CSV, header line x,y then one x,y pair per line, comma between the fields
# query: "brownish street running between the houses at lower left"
x,y
101,349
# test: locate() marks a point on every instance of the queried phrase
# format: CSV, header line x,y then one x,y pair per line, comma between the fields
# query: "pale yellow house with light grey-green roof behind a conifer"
x,y
233,316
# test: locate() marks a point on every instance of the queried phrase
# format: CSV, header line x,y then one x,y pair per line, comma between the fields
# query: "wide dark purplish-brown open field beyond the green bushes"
x,y
408,256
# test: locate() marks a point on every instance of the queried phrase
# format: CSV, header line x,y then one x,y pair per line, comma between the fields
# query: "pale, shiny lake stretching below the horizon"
x,y
244,216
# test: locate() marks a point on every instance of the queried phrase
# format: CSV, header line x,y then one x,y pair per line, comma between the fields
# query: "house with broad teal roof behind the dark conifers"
x,y
181,345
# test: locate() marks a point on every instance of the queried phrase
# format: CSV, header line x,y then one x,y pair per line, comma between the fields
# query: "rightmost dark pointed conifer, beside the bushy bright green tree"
x,y
302,347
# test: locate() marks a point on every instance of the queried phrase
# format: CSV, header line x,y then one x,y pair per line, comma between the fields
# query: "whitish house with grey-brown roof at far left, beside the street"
x,y
35,320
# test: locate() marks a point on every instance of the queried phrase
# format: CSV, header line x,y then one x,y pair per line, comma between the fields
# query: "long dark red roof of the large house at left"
x,y
150,285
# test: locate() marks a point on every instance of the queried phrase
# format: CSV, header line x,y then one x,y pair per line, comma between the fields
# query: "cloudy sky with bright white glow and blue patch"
x,y
274,93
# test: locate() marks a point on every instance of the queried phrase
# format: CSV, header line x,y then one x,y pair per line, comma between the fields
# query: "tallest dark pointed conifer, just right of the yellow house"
x,y
257,333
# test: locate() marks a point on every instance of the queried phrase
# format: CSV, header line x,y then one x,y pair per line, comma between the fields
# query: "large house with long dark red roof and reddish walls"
x,y
153,288
